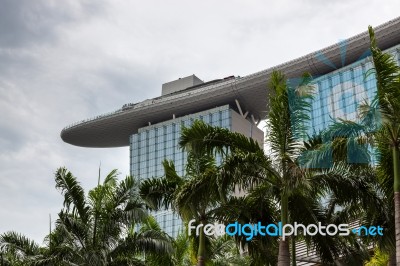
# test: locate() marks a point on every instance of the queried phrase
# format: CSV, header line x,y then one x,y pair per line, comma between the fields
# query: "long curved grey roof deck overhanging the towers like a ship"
x,y
113,129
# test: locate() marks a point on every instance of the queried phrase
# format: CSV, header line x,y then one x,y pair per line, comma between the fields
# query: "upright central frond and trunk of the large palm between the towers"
x,y
285,125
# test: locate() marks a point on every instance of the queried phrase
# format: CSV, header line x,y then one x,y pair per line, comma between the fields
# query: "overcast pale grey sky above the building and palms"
x,y
64,61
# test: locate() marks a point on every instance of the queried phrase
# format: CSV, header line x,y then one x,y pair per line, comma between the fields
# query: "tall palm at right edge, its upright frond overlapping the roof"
x,y
387,74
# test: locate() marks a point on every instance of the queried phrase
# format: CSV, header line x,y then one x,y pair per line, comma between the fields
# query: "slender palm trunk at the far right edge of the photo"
x,y
396,174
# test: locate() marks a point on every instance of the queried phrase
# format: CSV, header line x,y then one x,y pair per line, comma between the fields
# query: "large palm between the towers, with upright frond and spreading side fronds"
x,y
277,179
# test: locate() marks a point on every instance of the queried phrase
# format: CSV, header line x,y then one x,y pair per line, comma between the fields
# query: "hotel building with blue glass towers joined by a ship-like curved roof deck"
x,y
151,128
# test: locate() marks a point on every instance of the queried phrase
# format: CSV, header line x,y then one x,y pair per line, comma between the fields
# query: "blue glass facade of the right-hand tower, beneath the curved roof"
x,y
339,93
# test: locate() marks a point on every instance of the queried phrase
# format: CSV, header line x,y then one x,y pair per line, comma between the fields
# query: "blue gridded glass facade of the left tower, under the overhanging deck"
x,y
154,143
